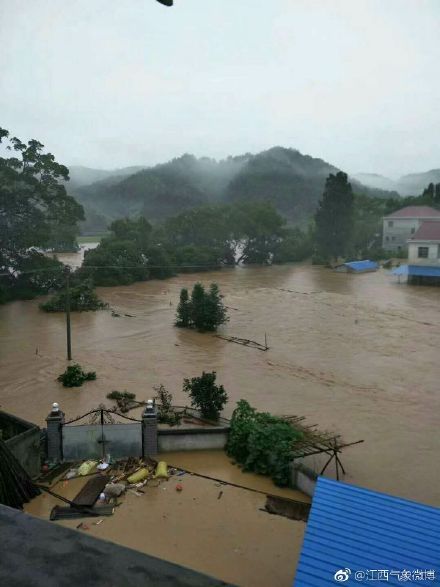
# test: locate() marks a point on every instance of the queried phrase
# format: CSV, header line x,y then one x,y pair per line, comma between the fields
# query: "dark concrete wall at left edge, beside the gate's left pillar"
x,y
24,444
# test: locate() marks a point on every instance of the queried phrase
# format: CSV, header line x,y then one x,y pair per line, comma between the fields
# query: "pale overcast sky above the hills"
x,y
110,83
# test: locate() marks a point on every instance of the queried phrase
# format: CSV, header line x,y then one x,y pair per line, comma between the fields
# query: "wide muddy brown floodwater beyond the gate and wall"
x,y
355,354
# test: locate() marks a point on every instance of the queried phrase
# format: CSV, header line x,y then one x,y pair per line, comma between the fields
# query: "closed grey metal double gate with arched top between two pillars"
x,y
102,435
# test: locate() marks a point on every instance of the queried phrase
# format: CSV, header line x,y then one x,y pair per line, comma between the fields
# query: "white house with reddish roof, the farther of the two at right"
x,y
401,225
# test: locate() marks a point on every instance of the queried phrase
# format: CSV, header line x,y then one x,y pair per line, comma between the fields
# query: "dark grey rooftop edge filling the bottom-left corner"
x,y
43,554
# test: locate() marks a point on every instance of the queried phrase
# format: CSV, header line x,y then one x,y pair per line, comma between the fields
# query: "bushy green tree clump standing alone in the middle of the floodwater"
x,y
204,311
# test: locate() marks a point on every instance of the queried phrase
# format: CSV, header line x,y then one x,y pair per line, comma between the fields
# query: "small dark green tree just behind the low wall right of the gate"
x,y
205,395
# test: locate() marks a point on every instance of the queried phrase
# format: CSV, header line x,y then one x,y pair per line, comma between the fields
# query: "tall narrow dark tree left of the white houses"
x,y
334,217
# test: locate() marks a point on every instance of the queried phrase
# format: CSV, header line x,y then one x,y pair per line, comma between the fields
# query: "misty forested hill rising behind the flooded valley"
x,y
292,181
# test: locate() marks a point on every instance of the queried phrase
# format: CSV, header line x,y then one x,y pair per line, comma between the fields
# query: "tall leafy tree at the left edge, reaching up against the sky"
x,y
35,210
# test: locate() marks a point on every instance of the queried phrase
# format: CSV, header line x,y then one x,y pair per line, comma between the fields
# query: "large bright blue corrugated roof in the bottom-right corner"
x,y
355,529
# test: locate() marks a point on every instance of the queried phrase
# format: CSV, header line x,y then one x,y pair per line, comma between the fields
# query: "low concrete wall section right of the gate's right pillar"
x,y
192,439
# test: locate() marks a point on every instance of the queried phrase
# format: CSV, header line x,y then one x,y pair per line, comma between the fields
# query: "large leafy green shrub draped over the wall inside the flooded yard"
x,y
262,443
